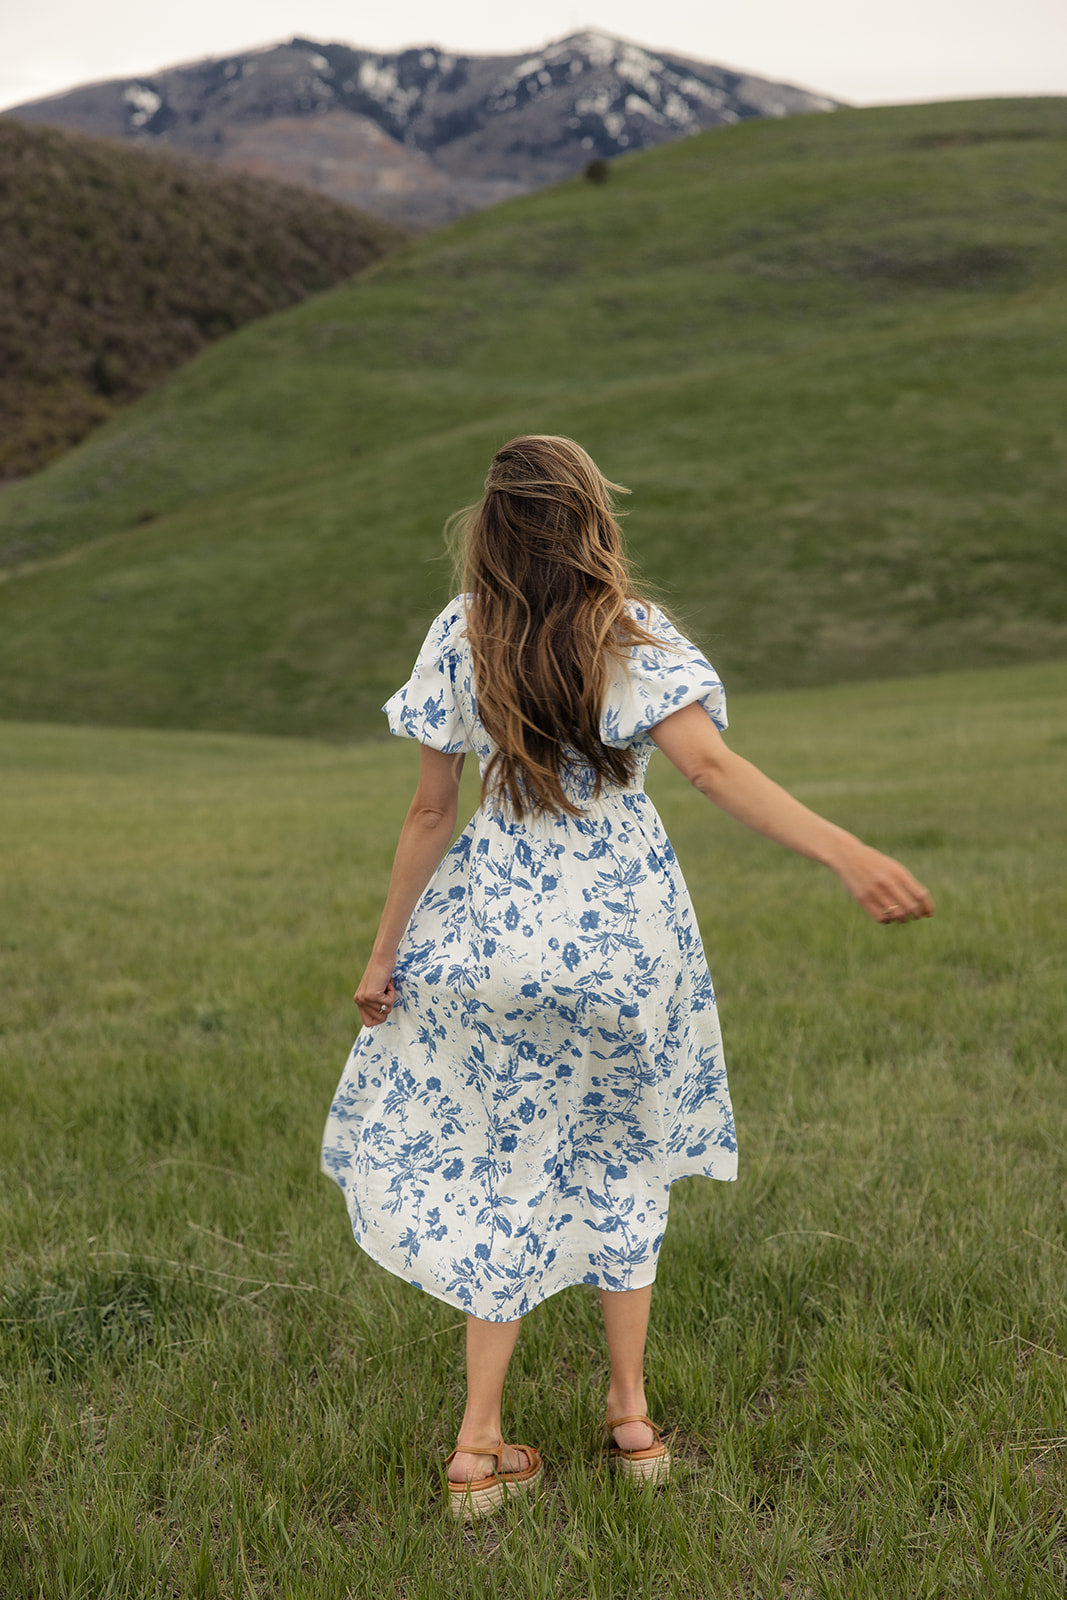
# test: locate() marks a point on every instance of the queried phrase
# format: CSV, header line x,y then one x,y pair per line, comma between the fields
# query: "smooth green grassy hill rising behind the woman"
x,y
828,356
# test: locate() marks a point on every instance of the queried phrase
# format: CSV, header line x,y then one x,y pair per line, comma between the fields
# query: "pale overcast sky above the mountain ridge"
x,y
857,50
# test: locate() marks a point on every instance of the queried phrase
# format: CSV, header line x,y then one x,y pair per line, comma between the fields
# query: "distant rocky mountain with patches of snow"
x,y
423,135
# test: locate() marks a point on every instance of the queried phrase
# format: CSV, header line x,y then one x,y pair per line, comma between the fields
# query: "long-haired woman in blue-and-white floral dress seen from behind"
x,y
541,1055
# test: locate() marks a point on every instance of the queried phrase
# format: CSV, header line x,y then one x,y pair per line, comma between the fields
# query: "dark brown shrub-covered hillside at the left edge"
x,y
116,266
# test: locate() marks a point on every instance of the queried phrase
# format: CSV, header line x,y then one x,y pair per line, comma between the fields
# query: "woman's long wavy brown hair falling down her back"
x,y
545,572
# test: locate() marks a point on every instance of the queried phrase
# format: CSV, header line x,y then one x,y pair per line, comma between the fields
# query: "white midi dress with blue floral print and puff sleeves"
x,y
553,1062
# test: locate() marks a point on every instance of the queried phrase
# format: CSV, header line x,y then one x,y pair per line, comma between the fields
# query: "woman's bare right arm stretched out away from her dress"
x,y
882,886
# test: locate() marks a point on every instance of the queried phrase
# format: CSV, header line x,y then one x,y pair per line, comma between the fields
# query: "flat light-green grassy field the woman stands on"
x,y
863,1345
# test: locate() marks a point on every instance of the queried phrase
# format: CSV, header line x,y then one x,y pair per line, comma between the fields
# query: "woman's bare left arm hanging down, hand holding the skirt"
x,y
425,838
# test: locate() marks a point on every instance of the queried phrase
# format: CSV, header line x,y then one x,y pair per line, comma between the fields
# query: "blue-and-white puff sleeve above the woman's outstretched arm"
x,y
657,681
